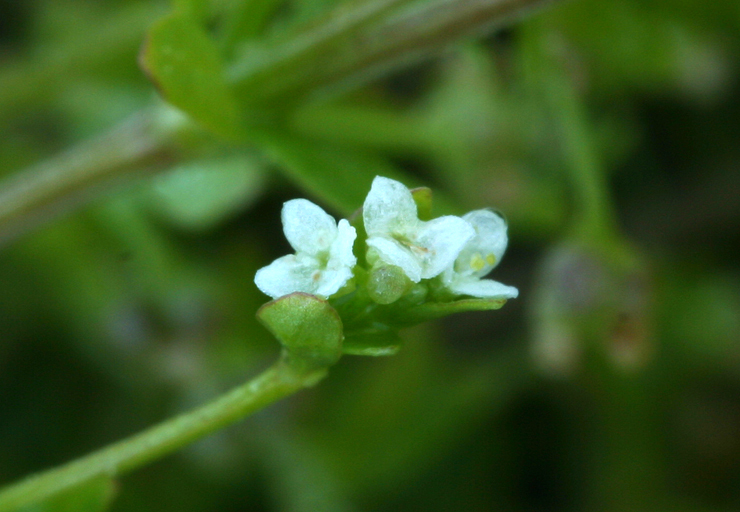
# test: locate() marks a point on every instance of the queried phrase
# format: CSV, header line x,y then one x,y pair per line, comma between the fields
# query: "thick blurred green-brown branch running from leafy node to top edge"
x,y
383,36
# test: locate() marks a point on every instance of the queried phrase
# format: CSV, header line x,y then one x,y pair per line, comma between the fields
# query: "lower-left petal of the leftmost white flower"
x,y
287,275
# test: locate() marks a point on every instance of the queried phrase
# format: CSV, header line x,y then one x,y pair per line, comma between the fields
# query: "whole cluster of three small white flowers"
x,y
454,253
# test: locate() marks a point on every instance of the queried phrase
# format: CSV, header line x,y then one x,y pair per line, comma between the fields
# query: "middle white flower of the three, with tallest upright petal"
x,y
422,249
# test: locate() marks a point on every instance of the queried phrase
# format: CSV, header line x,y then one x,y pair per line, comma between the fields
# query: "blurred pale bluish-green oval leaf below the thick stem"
x,y
203,193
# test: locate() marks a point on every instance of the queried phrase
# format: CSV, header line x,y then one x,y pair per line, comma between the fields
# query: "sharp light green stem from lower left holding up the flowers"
x,y
278,381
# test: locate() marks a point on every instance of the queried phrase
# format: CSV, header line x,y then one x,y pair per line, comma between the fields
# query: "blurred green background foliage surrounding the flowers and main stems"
x,y
607,133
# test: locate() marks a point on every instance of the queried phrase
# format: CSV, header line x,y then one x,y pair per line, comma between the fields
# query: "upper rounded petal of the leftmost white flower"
x,y
308,228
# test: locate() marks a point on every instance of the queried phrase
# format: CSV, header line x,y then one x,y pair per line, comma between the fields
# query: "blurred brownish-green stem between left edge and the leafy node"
x,y
59,184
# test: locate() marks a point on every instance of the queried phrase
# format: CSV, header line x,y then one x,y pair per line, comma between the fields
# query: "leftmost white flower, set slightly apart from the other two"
x,y
323,260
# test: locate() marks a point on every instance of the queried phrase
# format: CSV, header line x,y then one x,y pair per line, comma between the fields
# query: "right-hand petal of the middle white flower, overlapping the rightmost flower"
x,y
441,241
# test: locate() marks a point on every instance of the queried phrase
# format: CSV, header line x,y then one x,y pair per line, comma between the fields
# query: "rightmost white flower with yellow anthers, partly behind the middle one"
x,y
478,257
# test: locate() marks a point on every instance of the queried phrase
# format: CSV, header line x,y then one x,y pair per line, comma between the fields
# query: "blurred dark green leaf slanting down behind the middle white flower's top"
x,y
339,176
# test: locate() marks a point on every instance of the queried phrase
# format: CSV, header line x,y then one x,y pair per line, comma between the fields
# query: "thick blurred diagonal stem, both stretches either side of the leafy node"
x,y
348,49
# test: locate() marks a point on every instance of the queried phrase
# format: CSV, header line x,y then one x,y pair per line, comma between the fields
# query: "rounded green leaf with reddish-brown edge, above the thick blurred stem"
x,y
186,67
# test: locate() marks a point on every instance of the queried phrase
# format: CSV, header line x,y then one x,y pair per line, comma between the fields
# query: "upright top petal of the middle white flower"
x,y
389,208
